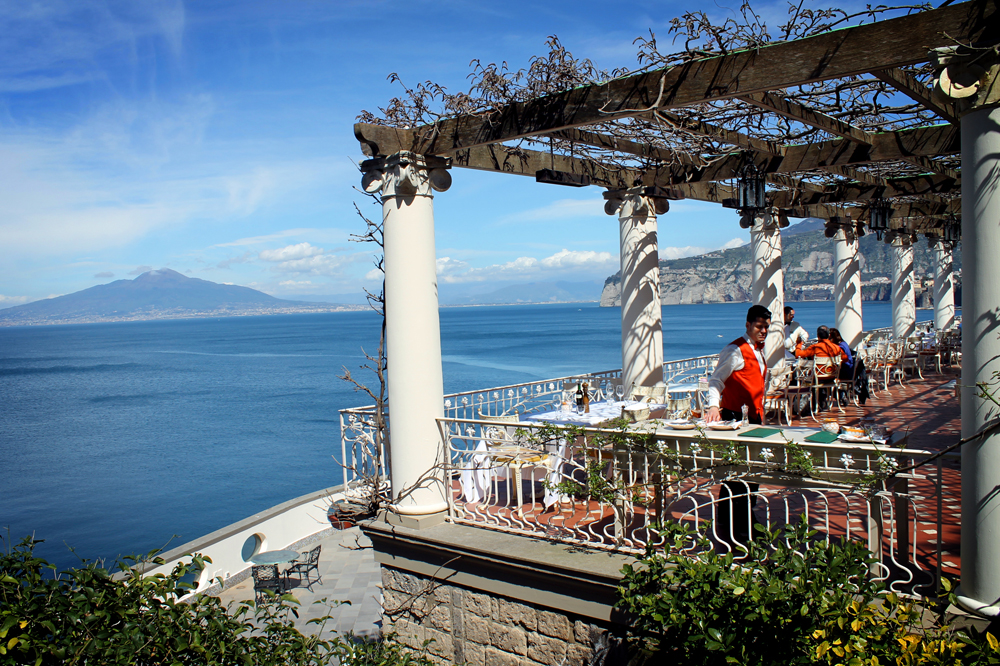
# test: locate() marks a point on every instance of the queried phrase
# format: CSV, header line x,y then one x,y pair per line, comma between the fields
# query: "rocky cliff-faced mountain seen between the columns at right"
x,y
807,258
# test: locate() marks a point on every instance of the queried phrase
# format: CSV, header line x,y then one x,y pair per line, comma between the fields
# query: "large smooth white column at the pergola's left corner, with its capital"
x,y
413,331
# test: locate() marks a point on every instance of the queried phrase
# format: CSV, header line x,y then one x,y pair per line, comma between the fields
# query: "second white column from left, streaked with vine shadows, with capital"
x,y
642,326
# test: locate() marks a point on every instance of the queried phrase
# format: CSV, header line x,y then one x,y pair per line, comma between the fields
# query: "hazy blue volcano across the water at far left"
x,y
161,294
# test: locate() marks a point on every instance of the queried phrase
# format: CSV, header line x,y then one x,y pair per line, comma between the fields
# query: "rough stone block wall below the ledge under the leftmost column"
x,y
470,627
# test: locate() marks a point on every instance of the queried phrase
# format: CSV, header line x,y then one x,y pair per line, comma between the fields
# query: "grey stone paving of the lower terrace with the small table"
x,y
348,572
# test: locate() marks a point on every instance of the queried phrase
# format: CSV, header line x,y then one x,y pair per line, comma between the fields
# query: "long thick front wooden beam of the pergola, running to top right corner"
x,y
839,53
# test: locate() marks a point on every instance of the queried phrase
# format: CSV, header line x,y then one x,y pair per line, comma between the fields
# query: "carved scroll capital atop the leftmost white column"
x,y
406,174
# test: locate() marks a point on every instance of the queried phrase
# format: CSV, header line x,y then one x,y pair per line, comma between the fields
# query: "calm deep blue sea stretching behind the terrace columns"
x,y
120,438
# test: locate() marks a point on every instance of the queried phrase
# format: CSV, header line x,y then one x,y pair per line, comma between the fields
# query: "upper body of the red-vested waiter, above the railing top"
x,y
740,377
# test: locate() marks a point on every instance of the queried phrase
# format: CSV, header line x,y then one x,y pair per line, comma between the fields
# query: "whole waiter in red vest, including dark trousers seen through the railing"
x,y
739,381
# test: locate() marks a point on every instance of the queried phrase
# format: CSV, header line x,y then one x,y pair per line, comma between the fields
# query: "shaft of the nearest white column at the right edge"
x,y
980,359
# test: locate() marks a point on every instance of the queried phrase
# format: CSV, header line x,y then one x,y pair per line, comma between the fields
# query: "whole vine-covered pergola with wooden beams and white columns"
x,y
648,138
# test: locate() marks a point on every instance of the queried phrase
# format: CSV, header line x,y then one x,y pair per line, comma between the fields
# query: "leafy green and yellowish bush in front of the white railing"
x,y
793,599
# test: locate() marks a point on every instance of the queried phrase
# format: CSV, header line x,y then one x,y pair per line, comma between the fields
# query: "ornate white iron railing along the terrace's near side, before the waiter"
x,y
610,489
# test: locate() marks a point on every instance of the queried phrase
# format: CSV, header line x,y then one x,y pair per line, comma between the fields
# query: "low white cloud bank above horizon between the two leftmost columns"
x,y
565,261
